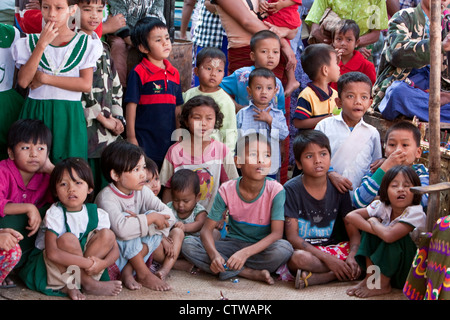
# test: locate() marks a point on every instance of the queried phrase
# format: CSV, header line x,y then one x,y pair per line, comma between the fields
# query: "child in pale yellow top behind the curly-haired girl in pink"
x,y
210,68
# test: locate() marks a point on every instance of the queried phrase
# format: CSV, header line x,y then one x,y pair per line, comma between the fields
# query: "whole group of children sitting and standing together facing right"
x,y
145,205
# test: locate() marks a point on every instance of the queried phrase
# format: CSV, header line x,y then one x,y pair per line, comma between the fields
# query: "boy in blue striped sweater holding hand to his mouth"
x,y
401,146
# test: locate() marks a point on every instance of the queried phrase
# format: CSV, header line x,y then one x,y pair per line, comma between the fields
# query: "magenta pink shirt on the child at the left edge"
x,y
13,189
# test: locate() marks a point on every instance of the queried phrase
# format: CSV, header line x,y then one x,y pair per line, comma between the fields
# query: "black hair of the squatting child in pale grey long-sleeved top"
x,y
120,156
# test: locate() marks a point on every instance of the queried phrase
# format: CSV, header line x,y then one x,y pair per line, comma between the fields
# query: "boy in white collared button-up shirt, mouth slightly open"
x,y
355,144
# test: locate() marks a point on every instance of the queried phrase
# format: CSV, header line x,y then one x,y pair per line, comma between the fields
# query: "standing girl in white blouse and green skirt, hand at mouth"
x,y
57,65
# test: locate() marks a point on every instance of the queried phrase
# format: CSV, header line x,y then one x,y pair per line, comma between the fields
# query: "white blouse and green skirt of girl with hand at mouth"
x,y
61,110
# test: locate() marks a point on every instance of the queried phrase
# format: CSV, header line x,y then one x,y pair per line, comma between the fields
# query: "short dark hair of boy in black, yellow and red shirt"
x,y
314,57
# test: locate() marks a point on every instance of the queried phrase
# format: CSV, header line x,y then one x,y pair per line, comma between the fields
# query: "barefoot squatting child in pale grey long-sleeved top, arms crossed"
x,y
139,219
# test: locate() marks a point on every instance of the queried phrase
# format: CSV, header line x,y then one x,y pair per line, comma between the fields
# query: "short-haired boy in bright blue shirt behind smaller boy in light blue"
x,y
265,52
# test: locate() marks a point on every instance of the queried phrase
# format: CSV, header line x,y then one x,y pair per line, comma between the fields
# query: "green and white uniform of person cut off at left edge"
x,y
11,100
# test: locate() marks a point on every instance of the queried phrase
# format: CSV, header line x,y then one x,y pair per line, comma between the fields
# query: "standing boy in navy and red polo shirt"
x,y
154,95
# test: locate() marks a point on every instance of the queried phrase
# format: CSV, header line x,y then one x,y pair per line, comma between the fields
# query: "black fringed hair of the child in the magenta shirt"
x,y
29,130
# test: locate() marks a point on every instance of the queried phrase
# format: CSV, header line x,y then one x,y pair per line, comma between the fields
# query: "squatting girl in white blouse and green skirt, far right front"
x,y
386,240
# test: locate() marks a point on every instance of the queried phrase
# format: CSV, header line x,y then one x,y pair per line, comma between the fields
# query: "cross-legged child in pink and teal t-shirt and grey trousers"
x,y
254,247
